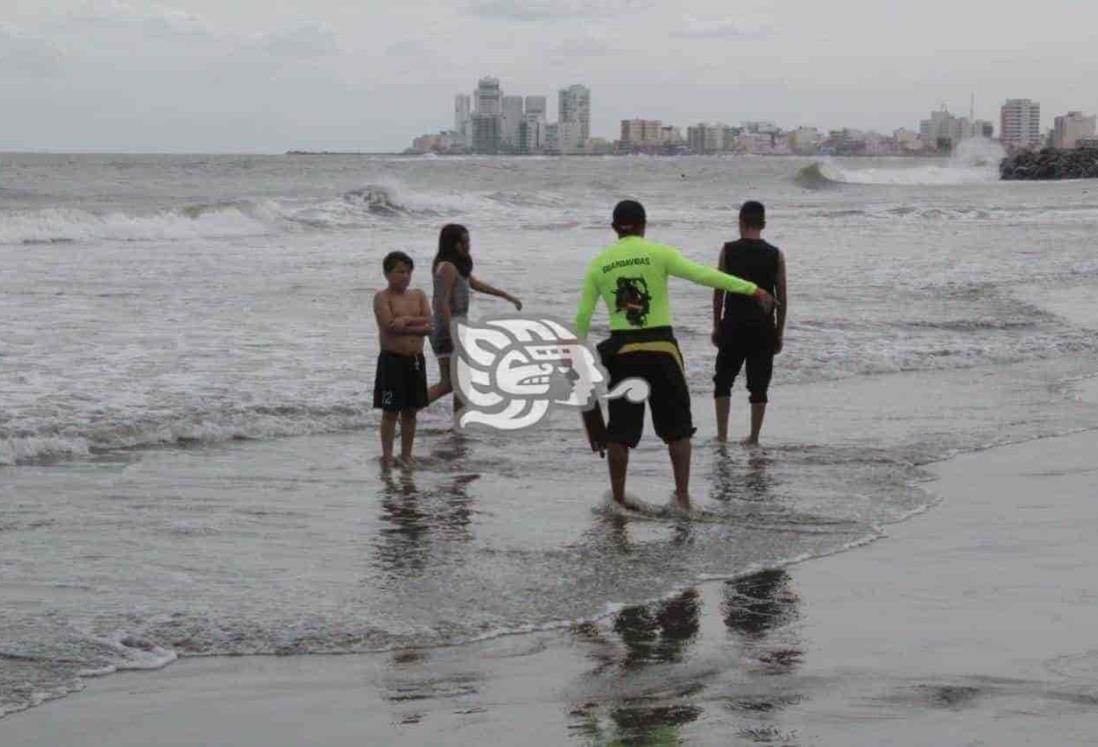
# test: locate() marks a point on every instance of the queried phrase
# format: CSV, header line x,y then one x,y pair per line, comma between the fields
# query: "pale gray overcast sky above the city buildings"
x,y
263,76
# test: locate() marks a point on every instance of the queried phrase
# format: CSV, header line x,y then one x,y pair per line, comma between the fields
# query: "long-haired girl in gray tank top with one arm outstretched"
x,y
454,281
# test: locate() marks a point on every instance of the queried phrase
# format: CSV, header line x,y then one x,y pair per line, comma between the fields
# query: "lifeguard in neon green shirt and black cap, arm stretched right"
x,y
632,277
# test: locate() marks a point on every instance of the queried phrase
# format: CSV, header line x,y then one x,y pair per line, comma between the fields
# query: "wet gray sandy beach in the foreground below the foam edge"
x,y
971,625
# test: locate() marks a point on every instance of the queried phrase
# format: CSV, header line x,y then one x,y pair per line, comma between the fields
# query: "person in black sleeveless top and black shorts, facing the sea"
x,y
744,332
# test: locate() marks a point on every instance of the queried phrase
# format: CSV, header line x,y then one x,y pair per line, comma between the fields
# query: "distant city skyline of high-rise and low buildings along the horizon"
x,y
490,122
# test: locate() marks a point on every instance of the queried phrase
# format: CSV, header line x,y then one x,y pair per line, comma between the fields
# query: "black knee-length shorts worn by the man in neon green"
x,y
652,355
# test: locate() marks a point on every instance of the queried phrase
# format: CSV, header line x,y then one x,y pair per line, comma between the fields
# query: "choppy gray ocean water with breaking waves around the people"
x,y
189,460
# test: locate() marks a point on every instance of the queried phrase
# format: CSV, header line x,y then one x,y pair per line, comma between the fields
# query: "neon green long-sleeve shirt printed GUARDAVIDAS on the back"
x,y
632,277
